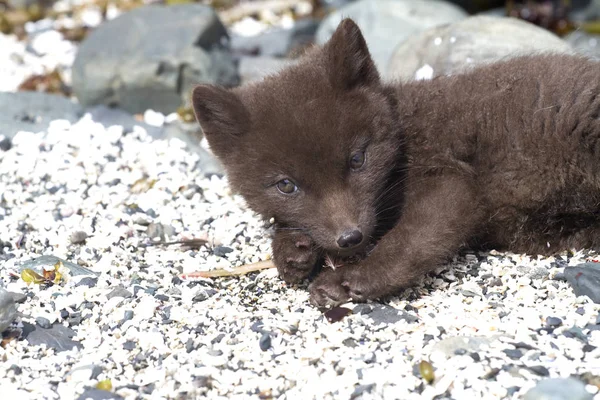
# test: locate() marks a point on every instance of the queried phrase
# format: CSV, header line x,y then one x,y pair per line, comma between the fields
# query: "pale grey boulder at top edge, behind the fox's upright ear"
x,y
386,23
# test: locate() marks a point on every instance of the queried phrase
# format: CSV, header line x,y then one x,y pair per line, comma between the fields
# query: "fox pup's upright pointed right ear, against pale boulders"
x,y
348,58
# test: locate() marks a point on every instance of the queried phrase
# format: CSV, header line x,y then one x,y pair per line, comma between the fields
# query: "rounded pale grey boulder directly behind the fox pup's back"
x,y
474,41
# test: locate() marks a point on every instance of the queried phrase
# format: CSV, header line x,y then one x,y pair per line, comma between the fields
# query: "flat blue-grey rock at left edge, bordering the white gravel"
x,y
33,111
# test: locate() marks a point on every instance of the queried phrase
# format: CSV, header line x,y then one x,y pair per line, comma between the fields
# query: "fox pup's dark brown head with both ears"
x,y
312,146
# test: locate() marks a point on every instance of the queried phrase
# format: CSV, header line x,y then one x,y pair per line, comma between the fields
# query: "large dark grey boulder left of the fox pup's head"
x,y
151,57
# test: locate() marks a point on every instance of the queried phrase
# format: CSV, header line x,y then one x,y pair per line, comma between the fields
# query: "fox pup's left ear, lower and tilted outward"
x,y
220,113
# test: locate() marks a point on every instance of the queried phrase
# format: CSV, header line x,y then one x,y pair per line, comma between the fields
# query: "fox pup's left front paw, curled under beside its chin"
x,y
294,255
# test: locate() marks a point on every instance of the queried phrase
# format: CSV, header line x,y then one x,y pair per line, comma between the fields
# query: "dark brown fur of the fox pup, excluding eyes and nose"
x,y
506,156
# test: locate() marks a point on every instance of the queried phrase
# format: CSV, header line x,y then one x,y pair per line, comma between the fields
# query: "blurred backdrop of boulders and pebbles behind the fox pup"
x,y
134,61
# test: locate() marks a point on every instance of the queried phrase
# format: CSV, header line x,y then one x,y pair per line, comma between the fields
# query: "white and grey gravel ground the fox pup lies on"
x,y
489,325
